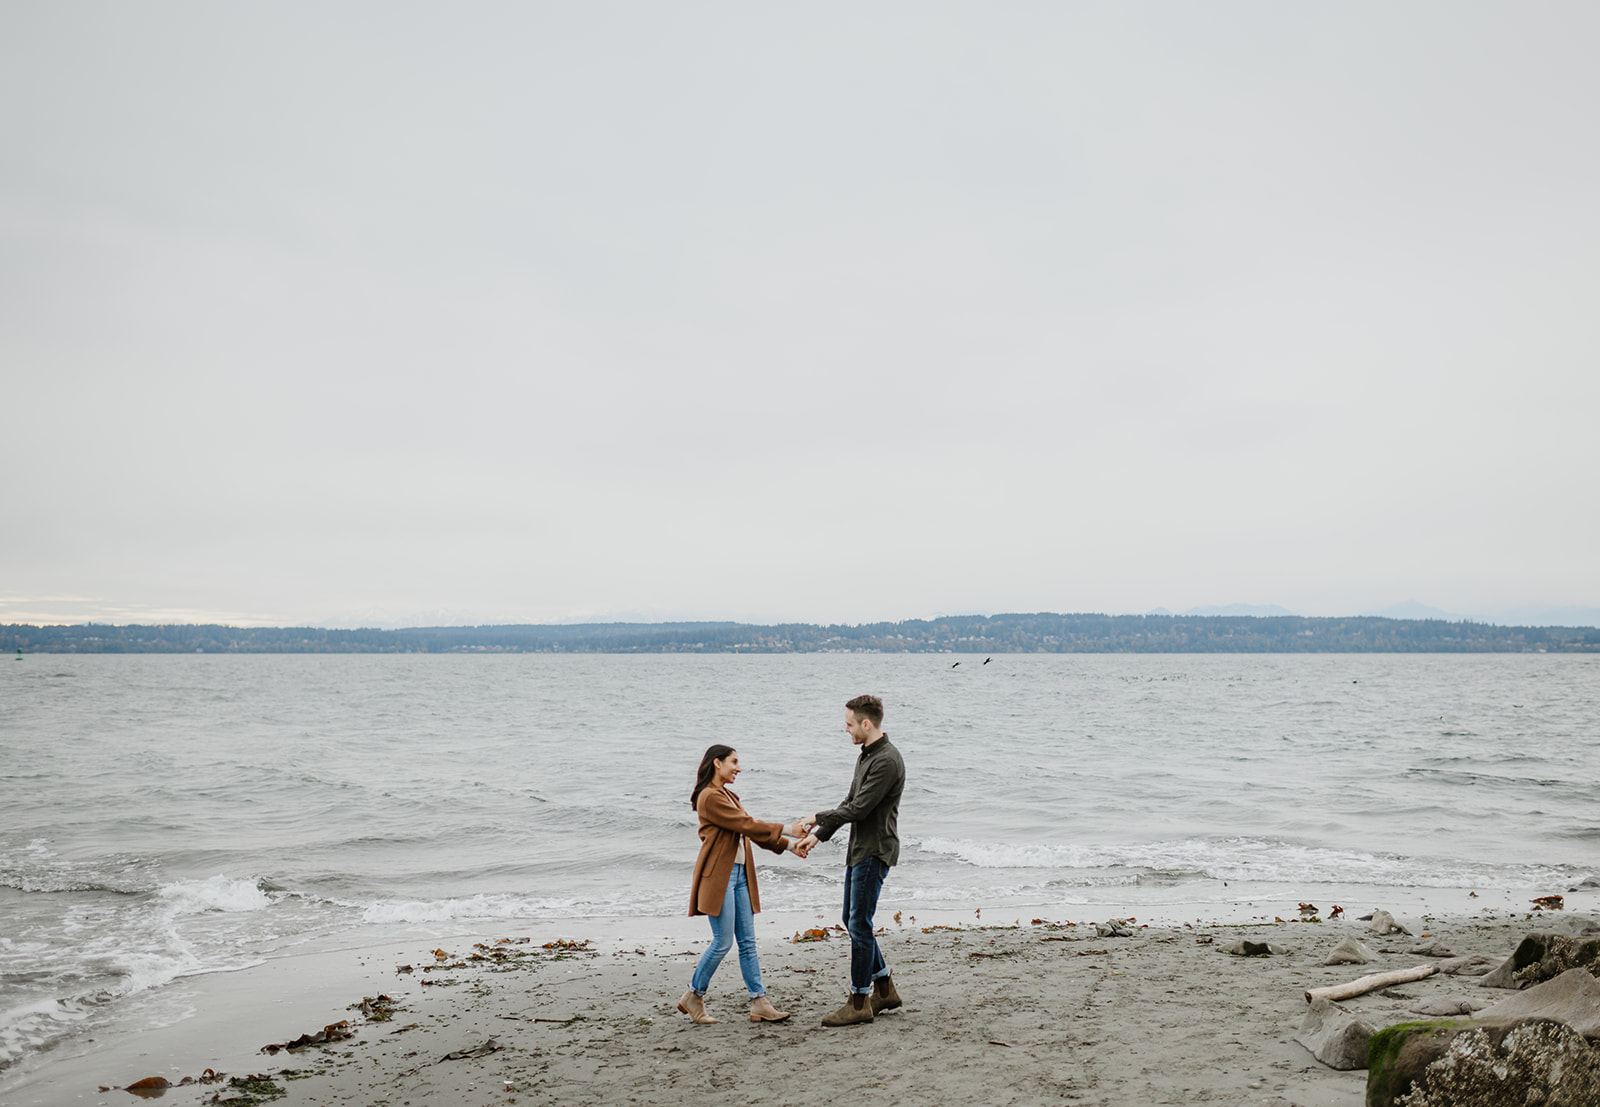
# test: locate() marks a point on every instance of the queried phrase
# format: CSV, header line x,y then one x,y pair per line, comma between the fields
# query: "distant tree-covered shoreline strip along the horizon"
x,y
962,634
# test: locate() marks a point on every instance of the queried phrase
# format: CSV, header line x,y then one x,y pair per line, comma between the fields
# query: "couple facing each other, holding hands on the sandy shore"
x,y
724,884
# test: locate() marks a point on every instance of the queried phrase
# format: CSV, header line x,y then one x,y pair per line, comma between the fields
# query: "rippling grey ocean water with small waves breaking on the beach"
x,y
164,817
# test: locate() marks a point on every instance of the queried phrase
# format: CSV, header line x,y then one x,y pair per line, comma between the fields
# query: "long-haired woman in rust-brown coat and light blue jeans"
x,y
724,885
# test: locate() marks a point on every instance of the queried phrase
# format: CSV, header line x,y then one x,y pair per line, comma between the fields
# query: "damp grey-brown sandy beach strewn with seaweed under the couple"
x,y
996,1013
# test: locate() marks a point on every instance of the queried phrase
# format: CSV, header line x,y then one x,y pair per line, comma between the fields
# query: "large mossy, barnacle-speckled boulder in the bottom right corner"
x,y
1482,1065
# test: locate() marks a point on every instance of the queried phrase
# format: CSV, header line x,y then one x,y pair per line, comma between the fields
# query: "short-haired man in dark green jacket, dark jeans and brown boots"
x,y
871,809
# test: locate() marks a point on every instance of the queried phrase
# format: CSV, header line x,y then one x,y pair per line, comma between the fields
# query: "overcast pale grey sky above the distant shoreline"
x,y
391,313
